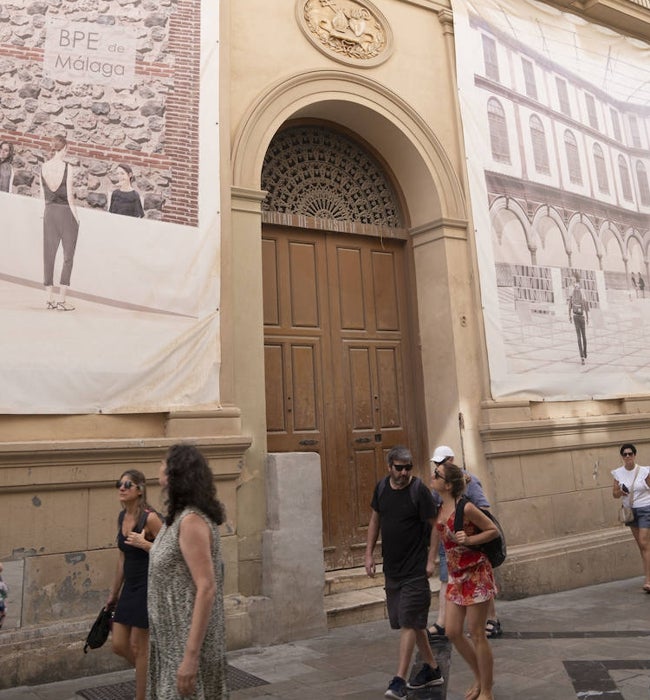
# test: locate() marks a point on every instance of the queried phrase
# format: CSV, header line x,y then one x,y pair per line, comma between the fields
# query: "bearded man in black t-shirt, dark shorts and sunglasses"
x,y
404,512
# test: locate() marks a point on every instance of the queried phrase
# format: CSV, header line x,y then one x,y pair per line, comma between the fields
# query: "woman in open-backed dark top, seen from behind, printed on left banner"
x,y
60,222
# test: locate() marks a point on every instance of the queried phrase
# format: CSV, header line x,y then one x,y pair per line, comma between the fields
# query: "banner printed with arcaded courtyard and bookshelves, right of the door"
x,y
556,118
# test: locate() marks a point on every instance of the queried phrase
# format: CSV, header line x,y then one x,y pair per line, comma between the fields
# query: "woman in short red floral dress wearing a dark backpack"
x,y
471,580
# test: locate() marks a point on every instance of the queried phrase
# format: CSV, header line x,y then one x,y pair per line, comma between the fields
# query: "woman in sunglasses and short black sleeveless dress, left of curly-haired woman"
x,y
138,525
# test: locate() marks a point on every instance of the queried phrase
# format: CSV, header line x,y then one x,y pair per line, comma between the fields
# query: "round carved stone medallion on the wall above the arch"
x,y
349,31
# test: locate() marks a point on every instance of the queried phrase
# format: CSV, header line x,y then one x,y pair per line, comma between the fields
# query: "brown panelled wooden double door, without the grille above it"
x,y
337,364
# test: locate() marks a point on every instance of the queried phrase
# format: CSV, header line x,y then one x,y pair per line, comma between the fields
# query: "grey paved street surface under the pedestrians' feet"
x,y
589,642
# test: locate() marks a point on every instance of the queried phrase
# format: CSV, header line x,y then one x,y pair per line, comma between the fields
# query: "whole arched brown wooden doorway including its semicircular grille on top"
x,y
338,351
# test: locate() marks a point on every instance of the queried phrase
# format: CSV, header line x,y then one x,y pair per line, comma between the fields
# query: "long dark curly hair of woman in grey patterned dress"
x,y
190,482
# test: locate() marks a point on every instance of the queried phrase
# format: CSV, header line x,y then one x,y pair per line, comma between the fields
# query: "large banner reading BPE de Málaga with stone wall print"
x,y
109,203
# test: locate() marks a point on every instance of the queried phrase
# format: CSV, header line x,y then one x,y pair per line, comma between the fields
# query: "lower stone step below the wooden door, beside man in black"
x,y
364,605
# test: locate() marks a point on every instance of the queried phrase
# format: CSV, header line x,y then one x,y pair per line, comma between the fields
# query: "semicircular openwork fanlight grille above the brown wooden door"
x,y
314,171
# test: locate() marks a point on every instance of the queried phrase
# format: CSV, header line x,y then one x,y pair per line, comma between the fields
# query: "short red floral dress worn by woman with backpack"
x,y
471,579
